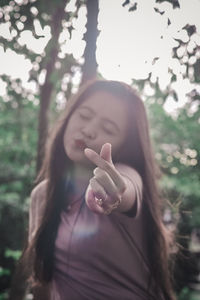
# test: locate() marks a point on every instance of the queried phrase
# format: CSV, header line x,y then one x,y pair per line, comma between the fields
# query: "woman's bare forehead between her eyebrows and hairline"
x,y
106,105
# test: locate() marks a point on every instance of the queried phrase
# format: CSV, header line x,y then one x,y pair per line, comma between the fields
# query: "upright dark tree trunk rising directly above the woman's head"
x,y
89,67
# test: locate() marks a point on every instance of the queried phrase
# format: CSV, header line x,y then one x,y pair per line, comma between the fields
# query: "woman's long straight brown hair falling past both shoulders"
x,y
137,152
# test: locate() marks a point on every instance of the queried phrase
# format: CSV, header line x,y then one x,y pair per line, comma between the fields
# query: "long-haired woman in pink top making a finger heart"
x,y
96,230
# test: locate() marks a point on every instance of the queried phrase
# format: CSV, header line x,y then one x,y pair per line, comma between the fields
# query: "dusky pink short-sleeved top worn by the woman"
x,y
100,257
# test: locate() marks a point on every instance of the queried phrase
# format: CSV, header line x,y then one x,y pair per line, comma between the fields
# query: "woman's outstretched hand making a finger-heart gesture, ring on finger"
x,y
106,187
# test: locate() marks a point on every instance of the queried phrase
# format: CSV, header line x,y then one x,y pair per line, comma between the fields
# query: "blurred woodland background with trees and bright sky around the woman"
x,y
48,49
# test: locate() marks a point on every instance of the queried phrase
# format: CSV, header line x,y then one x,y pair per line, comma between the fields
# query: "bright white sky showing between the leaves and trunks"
x,y
127,44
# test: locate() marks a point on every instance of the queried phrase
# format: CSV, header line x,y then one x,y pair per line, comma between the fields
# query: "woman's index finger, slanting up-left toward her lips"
x,y
106,166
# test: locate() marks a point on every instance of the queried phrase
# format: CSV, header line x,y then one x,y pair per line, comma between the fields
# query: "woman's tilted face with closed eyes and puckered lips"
x,y
99,119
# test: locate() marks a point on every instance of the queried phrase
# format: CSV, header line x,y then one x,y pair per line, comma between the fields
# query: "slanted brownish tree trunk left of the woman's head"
x,y
47,87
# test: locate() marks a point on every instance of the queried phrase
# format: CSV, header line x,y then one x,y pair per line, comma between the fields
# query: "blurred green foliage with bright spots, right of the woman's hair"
x,y
176,143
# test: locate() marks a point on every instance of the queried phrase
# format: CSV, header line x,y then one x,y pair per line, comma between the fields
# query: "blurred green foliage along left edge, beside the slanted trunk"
x,y
18,139
